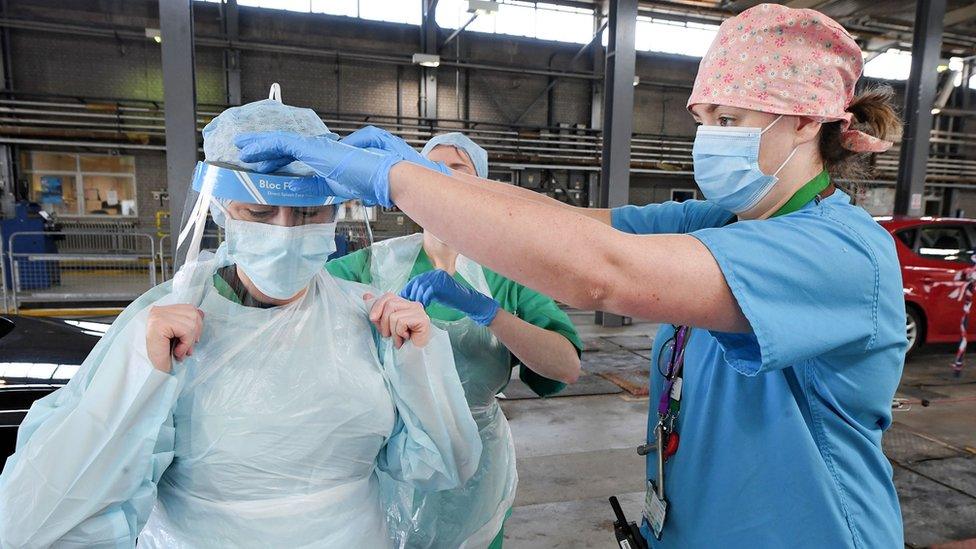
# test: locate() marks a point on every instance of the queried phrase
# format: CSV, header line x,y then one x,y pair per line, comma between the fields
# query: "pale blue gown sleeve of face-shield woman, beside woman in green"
x,y
435,444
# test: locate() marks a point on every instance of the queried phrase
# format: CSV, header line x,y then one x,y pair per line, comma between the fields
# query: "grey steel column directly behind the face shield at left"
x,y
179,95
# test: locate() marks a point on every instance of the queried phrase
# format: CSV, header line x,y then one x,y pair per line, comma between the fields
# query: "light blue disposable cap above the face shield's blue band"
x,y
259,116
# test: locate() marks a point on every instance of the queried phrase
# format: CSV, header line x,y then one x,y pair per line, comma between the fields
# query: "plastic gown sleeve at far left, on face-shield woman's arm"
x,y
89,455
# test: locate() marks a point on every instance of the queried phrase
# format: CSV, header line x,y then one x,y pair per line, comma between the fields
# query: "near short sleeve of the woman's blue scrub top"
x,y
807,283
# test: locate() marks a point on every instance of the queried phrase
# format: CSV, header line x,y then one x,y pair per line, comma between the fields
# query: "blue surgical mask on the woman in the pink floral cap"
x,y
727,166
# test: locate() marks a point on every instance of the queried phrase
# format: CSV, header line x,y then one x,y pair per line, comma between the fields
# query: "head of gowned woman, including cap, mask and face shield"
x,y
276,230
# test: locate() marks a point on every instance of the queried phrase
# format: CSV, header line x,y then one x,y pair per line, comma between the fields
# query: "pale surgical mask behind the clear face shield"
x,y
280,261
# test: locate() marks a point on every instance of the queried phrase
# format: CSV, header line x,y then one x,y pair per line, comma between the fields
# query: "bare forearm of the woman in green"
x,y
545,352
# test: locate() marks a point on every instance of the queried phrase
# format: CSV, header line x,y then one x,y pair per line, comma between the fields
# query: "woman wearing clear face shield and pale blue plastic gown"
x,y
253,400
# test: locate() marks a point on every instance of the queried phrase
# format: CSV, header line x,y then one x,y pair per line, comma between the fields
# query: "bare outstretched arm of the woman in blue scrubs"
x,y
571,257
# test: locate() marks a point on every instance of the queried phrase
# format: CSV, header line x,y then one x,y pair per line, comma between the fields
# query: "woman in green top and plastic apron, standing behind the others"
x,y
494,325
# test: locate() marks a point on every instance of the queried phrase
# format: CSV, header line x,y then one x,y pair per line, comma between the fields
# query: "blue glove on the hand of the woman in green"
x,y
441,287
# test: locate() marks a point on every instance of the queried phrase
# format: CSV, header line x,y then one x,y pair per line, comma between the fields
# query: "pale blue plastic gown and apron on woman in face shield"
x,y
270,435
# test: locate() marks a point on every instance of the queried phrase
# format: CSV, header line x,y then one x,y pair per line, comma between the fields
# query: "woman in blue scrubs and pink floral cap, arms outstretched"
x,y
783,338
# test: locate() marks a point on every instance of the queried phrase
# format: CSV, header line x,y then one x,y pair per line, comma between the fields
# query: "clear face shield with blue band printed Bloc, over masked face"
x,y
276,230
